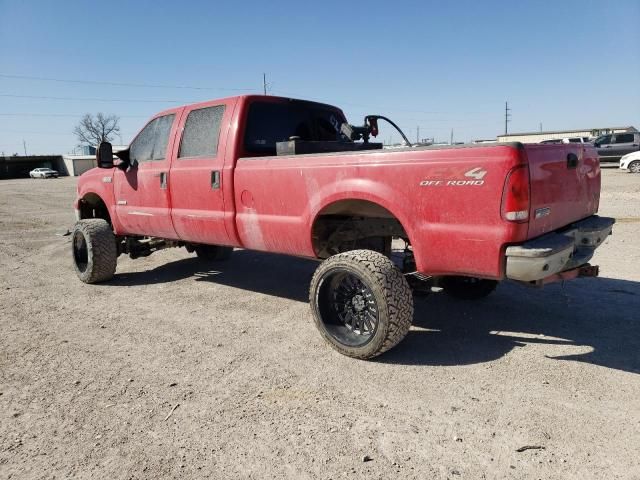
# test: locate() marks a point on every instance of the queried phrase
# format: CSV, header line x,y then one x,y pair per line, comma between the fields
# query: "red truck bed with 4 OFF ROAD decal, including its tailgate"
x,y
447,198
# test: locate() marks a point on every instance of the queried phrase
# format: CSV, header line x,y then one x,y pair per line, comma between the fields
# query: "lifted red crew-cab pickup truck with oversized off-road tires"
x,y
292,176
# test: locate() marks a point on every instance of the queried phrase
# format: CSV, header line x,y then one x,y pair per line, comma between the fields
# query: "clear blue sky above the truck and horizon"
x,y
436,65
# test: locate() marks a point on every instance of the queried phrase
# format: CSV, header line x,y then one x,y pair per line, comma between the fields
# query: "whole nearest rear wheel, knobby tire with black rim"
x,y
361,303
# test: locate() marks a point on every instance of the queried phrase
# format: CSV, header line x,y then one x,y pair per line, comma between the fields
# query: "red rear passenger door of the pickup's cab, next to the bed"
x,y
198,175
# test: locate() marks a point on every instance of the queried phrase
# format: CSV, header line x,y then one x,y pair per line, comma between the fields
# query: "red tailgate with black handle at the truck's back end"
x,y
565,185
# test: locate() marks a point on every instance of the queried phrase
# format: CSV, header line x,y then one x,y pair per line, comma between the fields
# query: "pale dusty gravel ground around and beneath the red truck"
x,y
178,370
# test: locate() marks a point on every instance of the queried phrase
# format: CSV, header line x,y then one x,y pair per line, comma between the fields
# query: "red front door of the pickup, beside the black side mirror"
x,y
142,192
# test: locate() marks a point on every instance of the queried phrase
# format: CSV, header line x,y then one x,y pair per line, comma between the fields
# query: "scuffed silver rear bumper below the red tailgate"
x,y
558,251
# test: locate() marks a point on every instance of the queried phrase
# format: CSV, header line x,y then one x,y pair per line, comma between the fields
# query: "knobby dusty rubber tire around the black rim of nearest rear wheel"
x,y
389,289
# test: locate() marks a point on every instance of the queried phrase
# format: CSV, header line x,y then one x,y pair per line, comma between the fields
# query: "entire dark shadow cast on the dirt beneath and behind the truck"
x,y
587,320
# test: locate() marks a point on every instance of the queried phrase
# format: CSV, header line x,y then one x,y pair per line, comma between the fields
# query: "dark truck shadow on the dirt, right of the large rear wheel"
x,y
593,321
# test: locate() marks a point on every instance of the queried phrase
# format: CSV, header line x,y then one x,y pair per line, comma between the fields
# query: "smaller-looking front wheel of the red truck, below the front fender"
x,y
97,261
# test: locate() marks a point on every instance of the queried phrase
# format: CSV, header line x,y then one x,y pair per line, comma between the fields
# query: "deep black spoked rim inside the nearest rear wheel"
x,y
348,308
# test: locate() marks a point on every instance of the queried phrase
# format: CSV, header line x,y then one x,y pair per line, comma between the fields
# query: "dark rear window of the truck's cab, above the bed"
x,y
271,122
